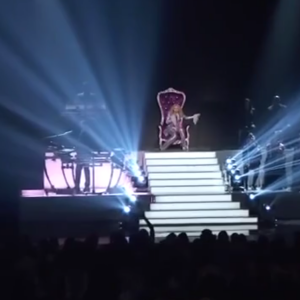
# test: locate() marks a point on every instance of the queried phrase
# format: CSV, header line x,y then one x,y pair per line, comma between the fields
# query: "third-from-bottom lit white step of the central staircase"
x,y
216,213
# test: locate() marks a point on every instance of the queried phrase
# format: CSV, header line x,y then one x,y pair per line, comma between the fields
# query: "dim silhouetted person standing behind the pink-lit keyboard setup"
x,y
83,159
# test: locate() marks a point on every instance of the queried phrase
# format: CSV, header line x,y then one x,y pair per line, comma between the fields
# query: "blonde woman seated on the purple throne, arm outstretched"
x,y
174,126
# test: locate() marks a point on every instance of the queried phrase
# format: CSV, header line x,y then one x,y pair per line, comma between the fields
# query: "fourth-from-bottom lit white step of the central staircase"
x,y
194,206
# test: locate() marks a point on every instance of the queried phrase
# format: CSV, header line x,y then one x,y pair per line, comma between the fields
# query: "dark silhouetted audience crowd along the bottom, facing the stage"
x,y
210,267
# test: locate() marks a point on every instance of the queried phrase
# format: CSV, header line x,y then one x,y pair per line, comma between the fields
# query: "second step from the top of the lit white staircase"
x,y
182,162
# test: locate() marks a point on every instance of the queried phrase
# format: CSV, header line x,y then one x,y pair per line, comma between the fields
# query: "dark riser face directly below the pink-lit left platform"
x,y
93,208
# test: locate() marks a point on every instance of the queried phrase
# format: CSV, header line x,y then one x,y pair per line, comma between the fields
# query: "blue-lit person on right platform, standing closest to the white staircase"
x,y
252,160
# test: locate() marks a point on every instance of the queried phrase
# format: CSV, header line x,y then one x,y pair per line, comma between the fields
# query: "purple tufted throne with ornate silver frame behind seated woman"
x,y
166,99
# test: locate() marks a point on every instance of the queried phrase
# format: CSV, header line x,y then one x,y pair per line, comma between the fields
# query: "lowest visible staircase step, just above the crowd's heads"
x,y
198,229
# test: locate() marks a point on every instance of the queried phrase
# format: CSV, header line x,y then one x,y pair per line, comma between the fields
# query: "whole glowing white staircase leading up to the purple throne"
x,y
190,196
